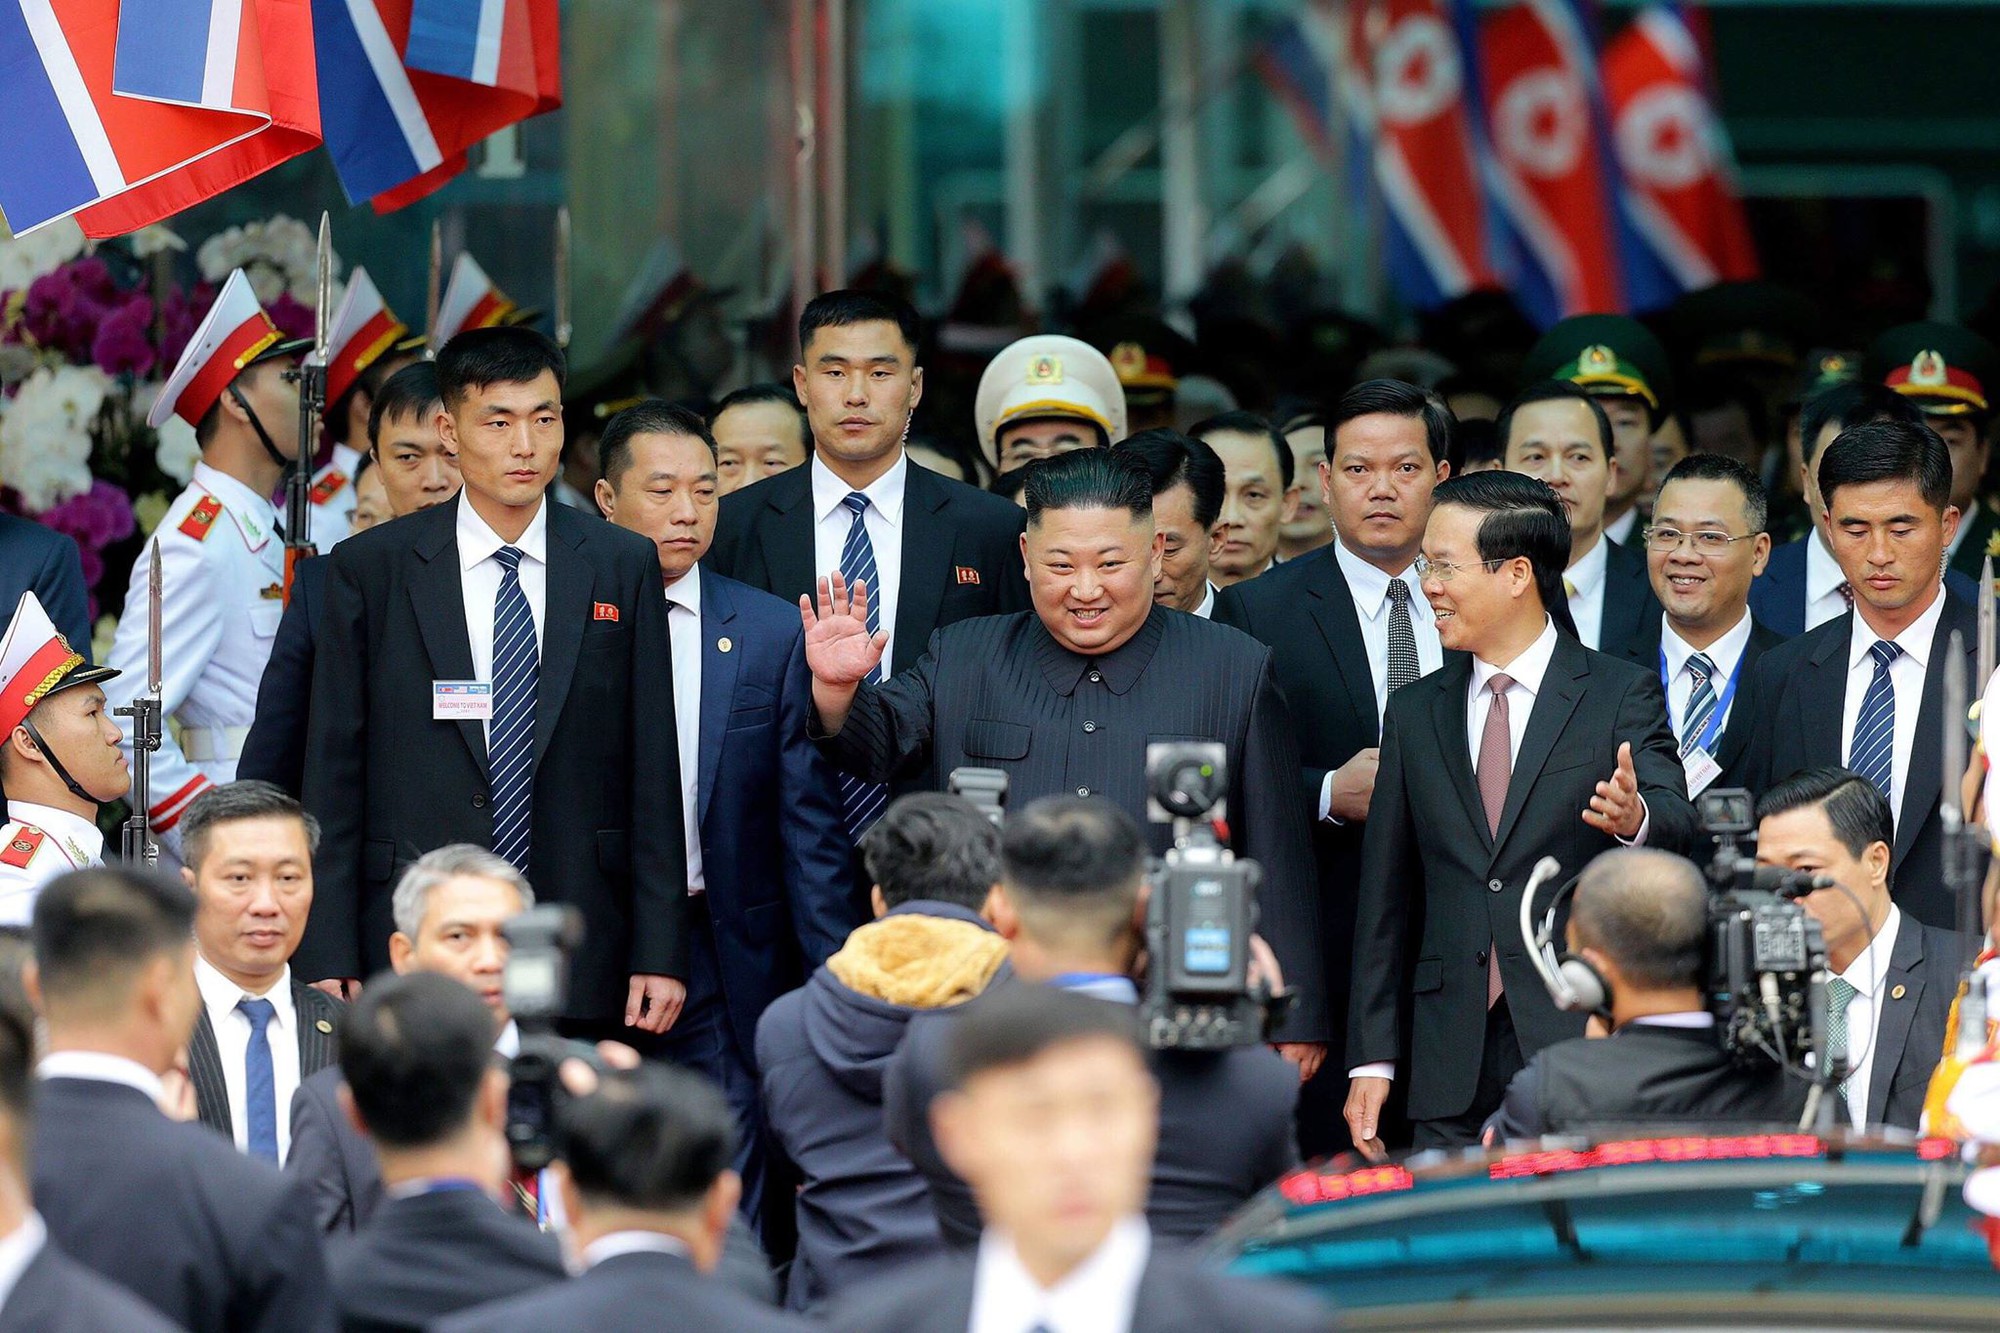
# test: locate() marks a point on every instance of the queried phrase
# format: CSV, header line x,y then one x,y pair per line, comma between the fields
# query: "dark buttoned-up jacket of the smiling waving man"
x,y
1001,694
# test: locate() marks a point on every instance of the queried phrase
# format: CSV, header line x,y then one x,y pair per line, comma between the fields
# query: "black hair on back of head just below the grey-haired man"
x,y
415,1052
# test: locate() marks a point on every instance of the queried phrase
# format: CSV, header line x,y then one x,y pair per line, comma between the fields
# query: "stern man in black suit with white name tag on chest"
x,y
507,688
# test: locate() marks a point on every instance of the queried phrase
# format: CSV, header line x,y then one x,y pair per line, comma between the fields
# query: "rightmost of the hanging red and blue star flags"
x,y
1679,189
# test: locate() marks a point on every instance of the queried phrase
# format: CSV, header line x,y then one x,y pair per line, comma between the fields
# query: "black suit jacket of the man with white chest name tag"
x,y
389,784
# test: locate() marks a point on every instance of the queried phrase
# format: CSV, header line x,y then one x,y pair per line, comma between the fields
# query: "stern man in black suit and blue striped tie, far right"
x,y
1867,690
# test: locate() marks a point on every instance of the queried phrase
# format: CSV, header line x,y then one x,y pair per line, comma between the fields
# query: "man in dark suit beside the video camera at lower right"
x,y
1893,976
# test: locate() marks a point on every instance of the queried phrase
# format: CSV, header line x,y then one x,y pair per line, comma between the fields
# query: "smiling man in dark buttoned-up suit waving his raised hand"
x,y
1069,698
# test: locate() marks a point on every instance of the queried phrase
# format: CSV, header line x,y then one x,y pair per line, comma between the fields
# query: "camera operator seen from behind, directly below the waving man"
x,y
1073,908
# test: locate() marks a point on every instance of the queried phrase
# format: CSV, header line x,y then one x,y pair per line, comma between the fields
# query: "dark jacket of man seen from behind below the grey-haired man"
x,y
437,1254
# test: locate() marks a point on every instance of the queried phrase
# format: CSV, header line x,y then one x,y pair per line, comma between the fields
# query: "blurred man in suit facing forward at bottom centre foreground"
x,y
1053,1120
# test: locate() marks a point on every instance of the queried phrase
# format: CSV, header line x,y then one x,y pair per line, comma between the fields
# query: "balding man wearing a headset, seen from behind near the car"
x,y
1637,948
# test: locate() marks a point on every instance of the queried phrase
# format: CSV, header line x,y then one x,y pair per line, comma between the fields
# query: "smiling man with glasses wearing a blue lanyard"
x,y
1705,545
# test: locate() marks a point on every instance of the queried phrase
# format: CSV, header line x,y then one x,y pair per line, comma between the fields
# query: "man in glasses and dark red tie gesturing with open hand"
x,y
1529,748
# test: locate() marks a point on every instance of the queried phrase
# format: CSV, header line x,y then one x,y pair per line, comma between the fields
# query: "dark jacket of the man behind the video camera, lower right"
x,y
1911,1010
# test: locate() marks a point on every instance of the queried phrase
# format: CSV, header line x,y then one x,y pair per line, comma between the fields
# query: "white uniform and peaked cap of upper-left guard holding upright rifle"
x,y
223,581
